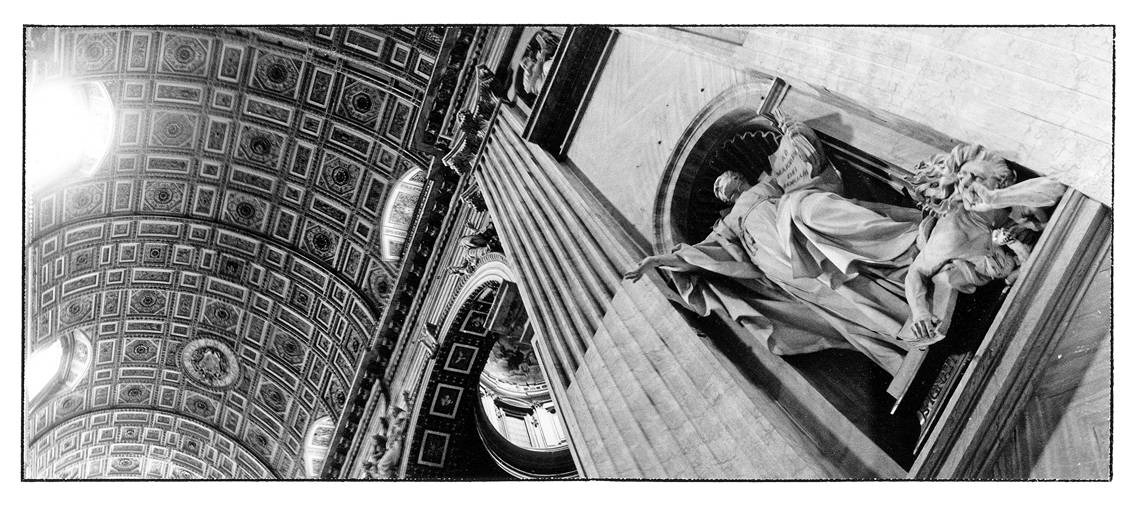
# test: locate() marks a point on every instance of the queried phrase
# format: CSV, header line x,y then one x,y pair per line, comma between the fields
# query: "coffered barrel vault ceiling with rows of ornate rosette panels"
x,y
227,259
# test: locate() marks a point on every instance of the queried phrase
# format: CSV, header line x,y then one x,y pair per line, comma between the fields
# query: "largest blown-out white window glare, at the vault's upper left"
x,y
70,127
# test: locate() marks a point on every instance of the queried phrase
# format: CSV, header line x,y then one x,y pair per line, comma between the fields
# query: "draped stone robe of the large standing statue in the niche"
x,y
808,270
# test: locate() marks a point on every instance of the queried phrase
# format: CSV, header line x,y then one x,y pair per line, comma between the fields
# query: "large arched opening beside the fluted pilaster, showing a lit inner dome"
x,y
487,402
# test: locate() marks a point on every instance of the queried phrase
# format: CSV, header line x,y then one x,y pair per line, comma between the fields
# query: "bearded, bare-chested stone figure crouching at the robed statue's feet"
x,y
968,248
